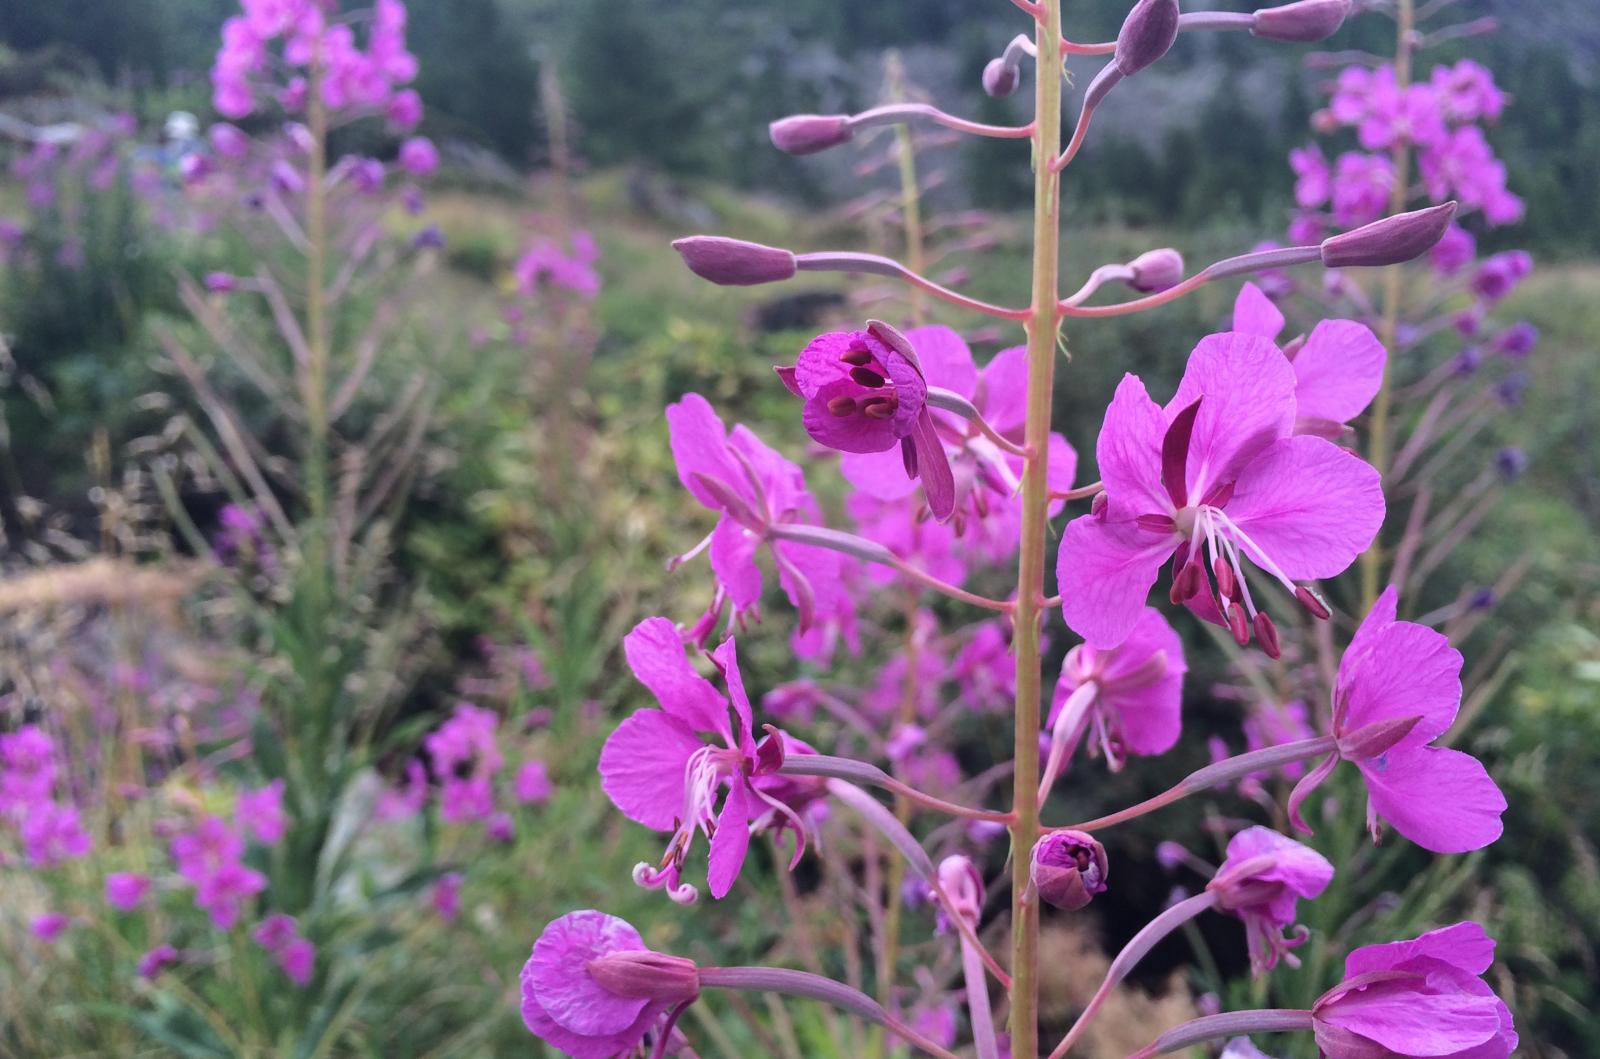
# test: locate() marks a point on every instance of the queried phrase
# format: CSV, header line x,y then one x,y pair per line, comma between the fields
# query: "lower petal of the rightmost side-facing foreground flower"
x,y
1442,801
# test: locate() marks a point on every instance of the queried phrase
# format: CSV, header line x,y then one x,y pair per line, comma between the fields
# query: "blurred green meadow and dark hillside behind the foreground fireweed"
x,y
506,505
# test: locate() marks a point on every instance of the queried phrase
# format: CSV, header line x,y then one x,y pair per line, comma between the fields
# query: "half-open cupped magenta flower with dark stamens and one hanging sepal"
x,y
866,393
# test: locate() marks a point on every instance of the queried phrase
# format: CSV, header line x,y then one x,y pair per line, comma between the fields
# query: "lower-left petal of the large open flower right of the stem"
x,y
1105,572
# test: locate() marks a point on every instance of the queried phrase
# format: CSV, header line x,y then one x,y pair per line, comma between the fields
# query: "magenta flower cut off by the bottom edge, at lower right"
x,y
1417,999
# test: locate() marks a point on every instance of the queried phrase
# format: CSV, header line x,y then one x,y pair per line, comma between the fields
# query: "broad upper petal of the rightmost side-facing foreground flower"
x,y
1410,671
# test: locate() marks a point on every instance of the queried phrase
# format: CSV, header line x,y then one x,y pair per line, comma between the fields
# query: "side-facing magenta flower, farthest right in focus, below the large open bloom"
x,y
1399,690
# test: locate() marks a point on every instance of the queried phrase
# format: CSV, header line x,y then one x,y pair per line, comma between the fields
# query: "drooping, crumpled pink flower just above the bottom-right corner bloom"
x,y
1260,882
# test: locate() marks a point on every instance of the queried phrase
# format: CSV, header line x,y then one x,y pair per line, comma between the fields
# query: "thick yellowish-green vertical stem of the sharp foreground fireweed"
x,y
1044,327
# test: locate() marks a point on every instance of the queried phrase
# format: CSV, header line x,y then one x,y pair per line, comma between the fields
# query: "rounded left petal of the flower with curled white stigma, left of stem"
x,y
642,767
